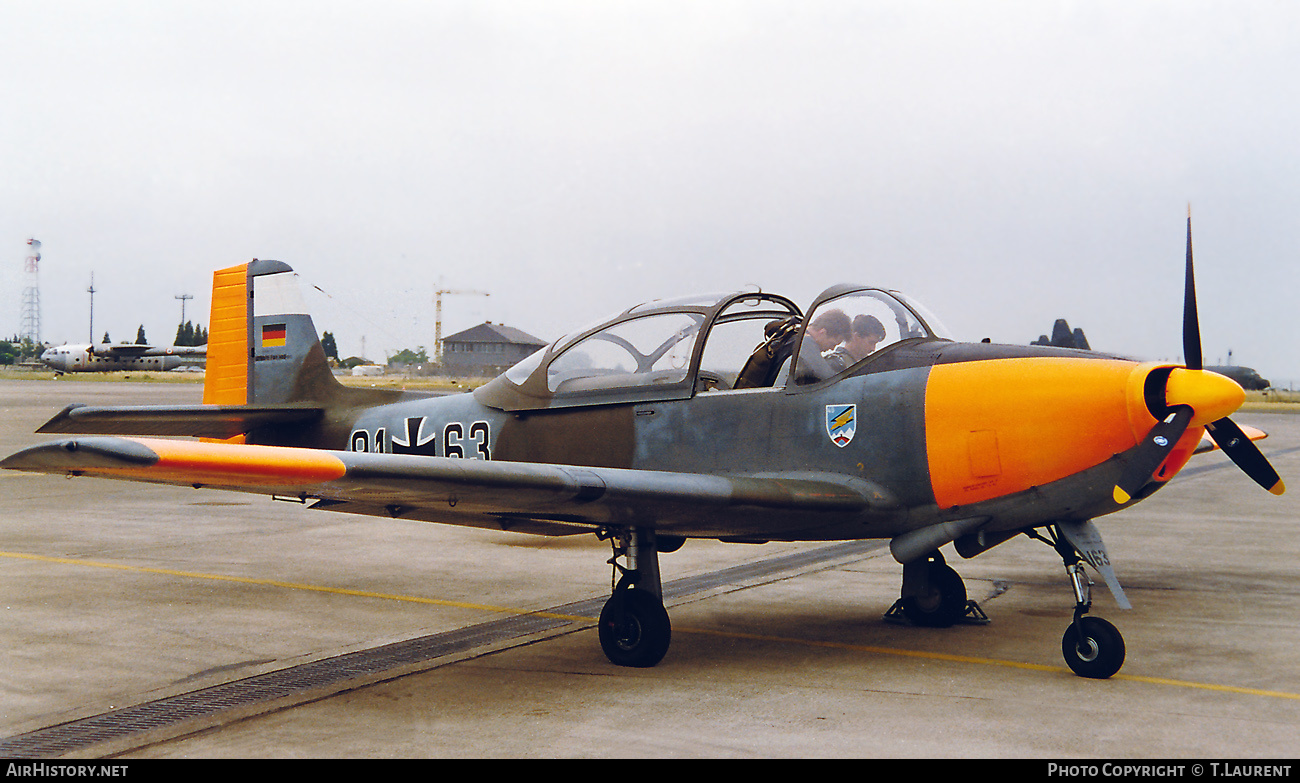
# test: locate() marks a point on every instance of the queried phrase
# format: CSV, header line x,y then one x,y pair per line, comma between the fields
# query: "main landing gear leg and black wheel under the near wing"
x,y
634,626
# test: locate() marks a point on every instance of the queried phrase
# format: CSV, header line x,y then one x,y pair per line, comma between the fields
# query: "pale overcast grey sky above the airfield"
x,y
1006,163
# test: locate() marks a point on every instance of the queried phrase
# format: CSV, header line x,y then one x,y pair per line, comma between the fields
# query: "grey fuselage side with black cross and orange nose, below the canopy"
x,y
943,431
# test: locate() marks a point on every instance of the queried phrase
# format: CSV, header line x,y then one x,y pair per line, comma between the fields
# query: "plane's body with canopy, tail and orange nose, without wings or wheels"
x,y
922,429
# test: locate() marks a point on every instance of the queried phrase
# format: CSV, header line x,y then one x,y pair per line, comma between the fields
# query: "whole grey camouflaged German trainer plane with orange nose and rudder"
x,y
925,442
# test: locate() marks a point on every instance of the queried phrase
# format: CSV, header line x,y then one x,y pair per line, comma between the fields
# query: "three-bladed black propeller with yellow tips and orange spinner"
x,y
1197,397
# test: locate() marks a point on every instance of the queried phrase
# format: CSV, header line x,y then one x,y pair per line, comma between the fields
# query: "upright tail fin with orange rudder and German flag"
x,y
263,348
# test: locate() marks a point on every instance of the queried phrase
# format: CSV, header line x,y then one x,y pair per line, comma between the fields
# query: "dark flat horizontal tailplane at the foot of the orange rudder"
x,y
197,421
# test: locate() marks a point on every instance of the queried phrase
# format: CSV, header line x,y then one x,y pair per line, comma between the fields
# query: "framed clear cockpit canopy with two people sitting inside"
x,y
721,343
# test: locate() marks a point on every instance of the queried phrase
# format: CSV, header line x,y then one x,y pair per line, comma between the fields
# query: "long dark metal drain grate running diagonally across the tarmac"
x,y
207,704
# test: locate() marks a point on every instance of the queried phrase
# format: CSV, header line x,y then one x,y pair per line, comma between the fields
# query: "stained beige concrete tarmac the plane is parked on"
x,y
118,594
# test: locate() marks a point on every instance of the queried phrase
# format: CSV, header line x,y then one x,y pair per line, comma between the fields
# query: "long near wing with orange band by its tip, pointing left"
x,y
531,498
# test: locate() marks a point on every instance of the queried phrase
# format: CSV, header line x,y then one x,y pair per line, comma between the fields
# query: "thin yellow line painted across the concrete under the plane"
x,y
839,646
